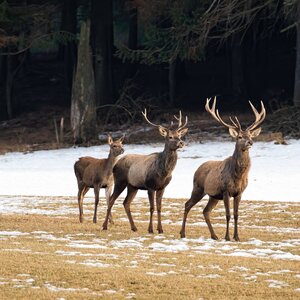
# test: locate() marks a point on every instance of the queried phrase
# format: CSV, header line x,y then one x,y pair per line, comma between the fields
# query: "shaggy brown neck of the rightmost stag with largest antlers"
x,y
240,163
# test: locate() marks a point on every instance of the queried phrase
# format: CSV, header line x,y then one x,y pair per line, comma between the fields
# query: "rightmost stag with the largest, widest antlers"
x,y
222,180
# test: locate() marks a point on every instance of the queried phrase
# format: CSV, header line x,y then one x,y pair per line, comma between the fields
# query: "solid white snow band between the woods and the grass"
x,y
274,174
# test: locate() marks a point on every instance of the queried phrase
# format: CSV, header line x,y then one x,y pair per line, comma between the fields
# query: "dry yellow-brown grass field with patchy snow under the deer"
x,y
47,254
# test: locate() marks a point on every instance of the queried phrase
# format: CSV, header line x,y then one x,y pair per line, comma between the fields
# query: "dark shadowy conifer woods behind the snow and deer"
x,y
104,61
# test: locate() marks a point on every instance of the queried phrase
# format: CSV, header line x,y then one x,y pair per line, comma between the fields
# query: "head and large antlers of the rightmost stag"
x,y
243,137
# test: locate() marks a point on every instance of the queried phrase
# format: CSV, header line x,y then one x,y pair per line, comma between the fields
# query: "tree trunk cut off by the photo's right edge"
x,y
296,99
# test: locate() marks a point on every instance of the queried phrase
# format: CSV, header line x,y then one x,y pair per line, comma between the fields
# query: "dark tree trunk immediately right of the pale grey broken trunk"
x,y
102,41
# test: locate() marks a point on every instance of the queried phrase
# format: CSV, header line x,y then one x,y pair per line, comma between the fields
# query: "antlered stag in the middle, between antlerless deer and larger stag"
x,y
152,172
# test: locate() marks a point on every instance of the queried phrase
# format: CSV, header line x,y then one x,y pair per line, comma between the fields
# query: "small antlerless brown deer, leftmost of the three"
x,y
97,173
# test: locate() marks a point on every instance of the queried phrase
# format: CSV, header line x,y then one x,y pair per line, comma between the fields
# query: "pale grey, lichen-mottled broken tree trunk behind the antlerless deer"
x,y
83,108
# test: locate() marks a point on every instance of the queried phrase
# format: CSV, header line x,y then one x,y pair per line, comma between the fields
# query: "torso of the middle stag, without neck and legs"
x,y
141,172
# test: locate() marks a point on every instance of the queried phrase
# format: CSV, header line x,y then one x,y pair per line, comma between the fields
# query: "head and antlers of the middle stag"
x,y
172,136
